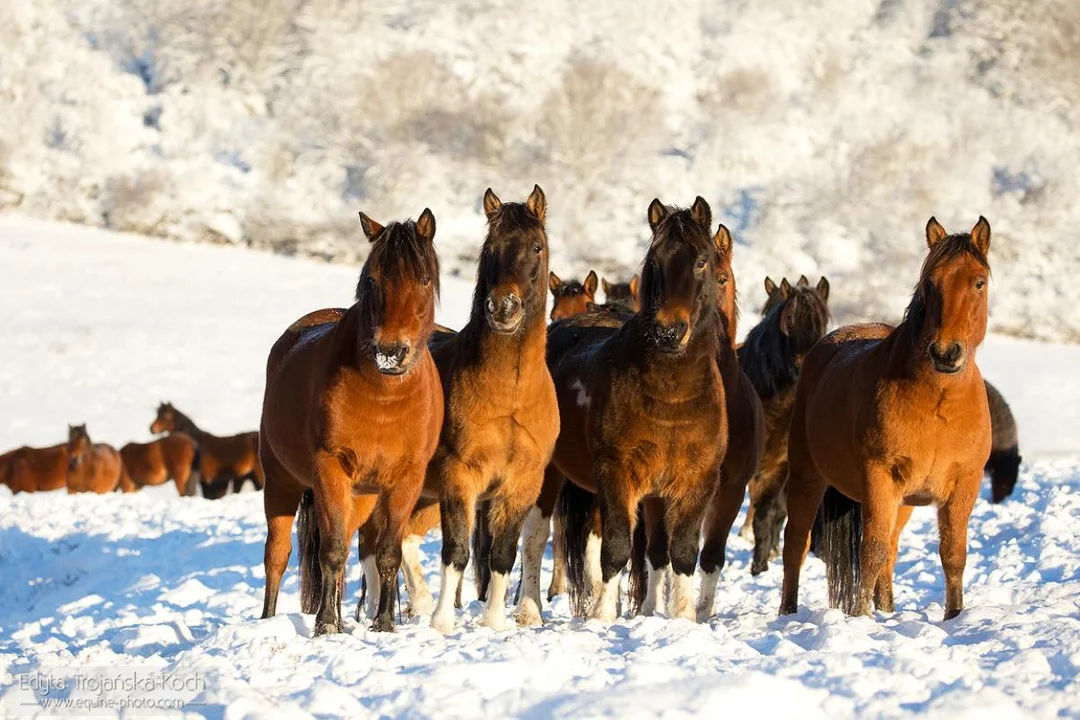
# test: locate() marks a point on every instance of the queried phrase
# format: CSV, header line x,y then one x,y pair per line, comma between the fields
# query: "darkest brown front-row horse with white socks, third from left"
x,y
643,409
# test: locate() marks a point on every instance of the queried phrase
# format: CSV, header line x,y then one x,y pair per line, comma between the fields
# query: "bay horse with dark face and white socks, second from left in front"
x,y
502,414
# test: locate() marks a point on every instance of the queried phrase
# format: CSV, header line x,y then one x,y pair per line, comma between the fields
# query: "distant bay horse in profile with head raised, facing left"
x,y
222,460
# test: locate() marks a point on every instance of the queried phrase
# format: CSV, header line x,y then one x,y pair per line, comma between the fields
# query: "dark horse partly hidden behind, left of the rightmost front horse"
x,y
773,357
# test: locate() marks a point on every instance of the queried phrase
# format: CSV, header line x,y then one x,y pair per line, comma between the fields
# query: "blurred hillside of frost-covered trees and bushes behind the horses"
x,y
823,134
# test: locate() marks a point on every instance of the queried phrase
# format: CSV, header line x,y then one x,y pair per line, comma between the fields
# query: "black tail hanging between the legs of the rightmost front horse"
x,y
842,537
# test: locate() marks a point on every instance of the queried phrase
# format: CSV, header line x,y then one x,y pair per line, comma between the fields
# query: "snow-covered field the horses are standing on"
x,y
101,328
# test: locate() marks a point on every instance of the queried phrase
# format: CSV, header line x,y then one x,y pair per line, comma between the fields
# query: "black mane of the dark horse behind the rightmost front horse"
x,y
773,360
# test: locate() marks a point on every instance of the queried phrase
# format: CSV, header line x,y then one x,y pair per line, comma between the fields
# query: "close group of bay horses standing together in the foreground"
x,y
637,425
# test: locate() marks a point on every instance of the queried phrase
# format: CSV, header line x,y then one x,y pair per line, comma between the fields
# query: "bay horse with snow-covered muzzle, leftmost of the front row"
x,y
352,416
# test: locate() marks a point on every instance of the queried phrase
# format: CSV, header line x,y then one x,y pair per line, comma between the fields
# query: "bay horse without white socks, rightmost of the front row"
x,y
893,418
